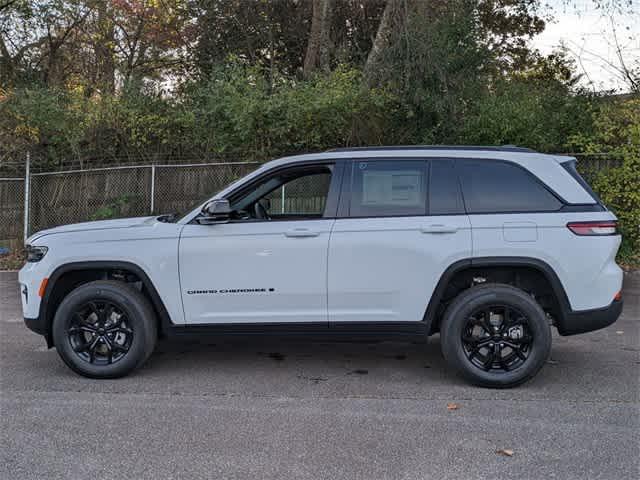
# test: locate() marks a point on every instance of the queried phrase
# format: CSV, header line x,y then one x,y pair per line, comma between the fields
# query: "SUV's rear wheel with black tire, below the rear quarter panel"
x,y
460,342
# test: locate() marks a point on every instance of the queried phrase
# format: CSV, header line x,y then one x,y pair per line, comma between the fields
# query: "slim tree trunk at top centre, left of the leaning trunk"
x,y
318,48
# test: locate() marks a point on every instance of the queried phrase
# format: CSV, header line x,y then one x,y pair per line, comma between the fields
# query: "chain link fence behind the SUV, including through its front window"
x,y
62,197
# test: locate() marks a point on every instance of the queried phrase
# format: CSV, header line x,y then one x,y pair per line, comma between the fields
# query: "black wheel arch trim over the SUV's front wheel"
x,y
68,276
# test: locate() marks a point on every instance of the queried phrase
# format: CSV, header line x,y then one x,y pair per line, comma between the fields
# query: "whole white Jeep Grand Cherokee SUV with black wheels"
x,y
488,246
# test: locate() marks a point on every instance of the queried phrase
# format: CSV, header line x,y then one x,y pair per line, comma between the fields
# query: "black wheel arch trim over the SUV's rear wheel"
x,y
469,266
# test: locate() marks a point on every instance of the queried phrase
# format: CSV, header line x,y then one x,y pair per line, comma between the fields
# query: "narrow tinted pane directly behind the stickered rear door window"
x,y
444,191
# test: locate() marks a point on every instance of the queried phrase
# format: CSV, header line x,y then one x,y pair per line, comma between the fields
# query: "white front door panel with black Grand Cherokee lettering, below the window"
x,y
288,256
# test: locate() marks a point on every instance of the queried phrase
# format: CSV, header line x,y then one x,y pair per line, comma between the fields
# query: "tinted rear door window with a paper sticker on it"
x,y
388,188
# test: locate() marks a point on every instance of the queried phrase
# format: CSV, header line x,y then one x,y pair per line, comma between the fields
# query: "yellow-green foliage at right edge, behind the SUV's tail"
x,y
617,131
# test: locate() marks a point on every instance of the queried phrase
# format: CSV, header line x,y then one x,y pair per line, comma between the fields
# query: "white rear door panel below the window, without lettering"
x,y
385,269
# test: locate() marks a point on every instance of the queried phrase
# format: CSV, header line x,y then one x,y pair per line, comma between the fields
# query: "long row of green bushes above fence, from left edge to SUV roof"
x,y
236,111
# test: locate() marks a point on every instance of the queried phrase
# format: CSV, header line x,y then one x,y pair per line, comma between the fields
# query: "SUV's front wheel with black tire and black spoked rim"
x,y
135,328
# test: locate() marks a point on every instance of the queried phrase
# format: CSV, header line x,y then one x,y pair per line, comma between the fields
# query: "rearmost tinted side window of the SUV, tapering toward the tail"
x,y
493,186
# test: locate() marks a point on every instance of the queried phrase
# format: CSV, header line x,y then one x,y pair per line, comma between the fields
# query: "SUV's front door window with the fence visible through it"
x,y
292,194
